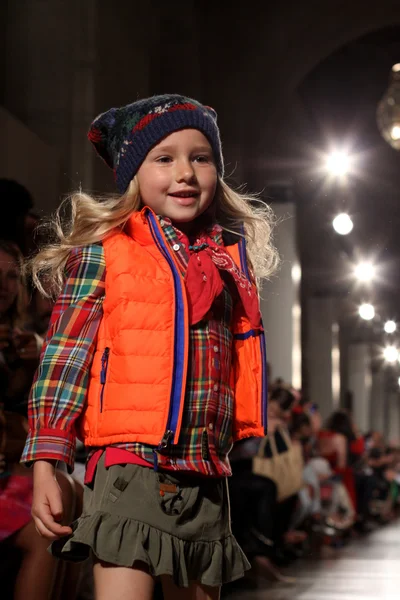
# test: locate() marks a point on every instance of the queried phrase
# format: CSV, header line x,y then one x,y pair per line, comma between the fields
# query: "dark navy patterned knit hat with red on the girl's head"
x,y
124,136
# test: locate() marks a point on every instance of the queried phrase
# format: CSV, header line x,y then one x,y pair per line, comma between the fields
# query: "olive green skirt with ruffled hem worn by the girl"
x,y
177,524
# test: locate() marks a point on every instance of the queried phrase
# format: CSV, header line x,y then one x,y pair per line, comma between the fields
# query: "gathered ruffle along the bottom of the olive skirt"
x,y
122,541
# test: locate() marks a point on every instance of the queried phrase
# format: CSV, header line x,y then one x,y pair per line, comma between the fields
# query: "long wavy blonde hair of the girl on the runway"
x,y
92,219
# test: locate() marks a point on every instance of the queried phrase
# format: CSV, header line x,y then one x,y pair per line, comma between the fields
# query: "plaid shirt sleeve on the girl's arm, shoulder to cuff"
x,y
59,390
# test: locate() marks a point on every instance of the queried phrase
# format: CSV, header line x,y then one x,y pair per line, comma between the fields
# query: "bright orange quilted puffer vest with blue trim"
x,y
138,376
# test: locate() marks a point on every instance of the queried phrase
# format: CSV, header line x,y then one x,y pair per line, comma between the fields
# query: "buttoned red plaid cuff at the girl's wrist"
x,y
50,444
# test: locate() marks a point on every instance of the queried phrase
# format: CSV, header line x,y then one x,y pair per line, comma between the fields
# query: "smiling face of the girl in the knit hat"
x,y
178,177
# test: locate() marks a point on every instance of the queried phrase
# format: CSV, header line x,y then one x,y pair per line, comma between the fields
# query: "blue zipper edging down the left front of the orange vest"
x,y
179,376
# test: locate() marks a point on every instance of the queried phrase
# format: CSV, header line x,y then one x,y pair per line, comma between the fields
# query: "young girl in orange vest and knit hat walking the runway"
x,y
154,357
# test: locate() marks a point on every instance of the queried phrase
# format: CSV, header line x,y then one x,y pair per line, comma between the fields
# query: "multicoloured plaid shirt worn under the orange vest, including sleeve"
x,y
59,391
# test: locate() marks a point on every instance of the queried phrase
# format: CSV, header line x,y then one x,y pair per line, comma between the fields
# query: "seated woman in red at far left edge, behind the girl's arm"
x,y
19,357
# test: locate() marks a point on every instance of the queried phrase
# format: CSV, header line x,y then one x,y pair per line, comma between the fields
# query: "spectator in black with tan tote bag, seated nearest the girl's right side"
x,y
259,520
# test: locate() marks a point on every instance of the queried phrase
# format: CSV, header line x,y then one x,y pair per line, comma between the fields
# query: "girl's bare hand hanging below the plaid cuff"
x,y
47,508
